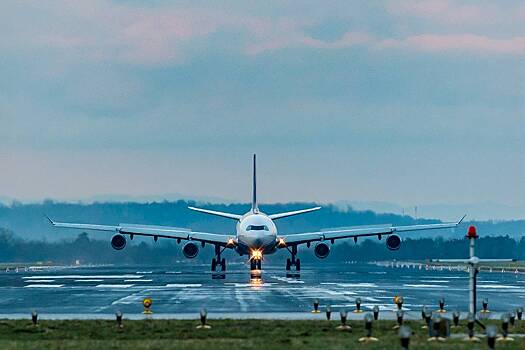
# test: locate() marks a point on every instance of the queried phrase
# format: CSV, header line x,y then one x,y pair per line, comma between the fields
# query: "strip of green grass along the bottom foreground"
x,y
224,334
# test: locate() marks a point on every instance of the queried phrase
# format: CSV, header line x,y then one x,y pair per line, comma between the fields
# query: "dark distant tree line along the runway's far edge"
x,y
166,252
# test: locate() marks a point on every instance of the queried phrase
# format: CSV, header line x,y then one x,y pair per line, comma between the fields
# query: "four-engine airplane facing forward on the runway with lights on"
x,y
256,235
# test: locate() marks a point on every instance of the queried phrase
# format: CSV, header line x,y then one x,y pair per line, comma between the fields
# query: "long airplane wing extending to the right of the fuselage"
x,y
300,238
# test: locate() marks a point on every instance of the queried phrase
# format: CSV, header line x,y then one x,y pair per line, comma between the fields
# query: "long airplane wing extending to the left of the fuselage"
x,y
153,231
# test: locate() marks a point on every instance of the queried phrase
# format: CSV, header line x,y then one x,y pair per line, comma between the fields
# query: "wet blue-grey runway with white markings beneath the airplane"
x,y
187,288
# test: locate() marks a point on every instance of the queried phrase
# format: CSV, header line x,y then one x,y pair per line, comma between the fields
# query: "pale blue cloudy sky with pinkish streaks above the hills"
x,y
405,102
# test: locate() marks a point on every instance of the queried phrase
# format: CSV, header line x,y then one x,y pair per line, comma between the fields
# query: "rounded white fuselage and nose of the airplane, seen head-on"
x,y
256,231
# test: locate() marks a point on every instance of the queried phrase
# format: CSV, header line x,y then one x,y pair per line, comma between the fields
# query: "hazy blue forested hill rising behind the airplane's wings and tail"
x,y
27,221
